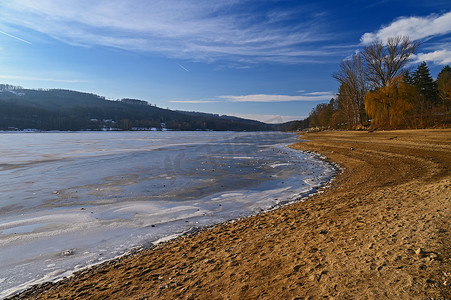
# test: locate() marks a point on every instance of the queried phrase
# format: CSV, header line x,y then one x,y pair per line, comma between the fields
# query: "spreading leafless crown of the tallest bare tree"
x,y
384,62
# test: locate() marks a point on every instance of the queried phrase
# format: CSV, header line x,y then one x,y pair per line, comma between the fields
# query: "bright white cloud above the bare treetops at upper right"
x,y
416,28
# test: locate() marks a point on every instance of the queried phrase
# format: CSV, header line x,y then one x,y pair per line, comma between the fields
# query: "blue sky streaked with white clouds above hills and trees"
x,y
270,60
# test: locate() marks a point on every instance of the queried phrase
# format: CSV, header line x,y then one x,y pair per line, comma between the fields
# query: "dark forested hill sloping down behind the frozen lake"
x,y
70,110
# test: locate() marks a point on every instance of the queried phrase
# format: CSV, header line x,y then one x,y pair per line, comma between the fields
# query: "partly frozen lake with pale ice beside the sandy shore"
x,y
69,200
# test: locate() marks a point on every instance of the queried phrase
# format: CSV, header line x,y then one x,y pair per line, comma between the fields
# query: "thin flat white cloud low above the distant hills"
x,y
318,96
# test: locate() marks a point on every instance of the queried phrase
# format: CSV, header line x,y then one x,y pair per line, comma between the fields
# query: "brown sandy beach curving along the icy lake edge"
x,y
381,230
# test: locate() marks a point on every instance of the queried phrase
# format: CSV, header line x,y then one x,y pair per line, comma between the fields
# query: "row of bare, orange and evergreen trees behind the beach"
x,y
377,91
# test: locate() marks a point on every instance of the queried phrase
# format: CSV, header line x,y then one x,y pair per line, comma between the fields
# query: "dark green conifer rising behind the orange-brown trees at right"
x,y
422,79
